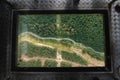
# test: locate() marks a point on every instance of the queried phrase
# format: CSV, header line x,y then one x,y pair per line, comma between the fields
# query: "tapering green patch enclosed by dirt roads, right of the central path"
x,y
73,57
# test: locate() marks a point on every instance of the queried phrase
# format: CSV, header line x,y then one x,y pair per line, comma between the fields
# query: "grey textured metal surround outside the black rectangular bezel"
x,y
6,7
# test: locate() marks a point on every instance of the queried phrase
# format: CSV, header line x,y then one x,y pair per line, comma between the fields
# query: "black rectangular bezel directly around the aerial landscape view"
x,y
108,64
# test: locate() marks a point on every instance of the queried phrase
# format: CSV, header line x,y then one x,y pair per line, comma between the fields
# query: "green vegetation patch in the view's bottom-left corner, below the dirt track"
x,y
32,63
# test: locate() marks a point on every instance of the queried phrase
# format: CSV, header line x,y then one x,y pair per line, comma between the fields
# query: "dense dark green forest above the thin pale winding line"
x,y
84,28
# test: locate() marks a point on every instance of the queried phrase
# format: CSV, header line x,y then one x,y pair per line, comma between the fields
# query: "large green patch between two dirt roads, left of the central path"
x,y
33,50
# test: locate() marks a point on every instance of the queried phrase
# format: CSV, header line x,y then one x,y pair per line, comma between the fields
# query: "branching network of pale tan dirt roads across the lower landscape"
x,y
92,62
